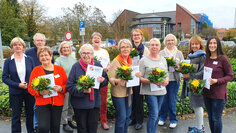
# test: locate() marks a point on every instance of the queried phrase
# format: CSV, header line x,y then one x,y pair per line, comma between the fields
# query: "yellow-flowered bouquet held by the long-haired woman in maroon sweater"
x,y
196,85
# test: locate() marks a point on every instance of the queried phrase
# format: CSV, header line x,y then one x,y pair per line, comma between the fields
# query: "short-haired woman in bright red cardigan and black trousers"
x,y
48,108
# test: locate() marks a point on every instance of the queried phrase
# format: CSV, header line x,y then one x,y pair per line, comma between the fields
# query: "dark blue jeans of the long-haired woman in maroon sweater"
x,y
215,109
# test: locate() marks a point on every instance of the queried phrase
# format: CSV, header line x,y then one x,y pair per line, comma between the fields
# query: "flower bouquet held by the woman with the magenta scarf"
x,y
84,83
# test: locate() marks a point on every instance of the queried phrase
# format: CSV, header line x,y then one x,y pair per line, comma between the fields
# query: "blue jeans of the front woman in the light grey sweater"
x,y
154,104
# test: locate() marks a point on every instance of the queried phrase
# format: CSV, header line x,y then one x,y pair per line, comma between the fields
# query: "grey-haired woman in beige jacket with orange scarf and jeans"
x,y
121,95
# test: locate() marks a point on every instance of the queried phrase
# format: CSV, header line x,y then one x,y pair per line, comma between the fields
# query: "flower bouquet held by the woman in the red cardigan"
x,y
41,84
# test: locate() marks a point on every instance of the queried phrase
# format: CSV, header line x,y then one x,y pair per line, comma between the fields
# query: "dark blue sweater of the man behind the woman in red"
x,y
33,54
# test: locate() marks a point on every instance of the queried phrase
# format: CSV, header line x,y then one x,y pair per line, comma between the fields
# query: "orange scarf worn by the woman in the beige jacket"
x,y
130,63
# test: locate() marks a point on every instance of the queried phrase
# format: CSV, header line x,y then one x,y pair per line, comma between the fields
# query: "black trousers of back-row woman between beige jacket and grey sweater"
x,y
137,114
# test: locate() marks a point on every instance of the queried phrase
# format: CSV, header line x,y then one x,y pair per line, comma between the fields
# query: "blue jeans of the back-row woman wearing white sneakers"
x,y
169,103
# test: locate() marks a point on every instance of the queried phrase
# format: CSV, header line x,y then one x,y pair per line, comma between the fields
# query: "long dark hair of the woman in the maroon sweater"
x,y
219,47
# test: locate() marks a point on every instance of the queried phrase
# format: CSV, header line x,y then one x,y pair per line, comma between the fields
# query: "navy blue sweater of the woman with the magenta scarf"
x,y
80,100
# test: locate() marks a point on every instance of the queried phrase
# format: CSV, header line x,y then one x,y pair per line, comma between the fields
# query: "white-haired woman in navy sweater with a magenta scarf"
x,y
86,104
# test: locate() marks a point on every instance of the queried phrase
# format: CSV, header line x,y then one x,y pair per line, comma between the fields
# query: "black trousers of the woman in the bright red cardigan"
x,y
49,118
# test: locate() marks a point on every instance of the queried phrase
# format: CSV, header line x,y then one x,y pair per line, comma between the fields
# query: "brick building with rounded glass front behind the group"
x,y
158,24
